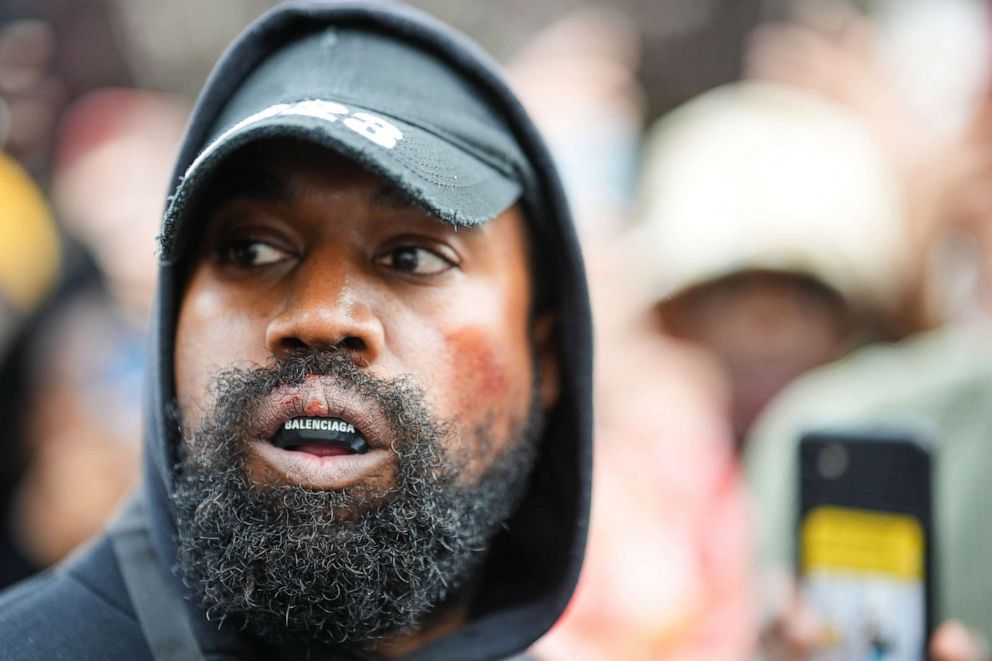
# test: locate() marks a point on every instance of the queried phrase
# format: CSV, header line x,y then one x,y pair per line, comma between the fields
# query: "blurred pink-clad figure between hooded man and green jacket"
x,y
667,572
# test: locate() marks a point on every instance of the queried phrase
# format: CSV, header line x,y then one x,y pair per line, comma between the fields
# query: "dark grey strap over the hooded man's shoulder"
x,y
158,605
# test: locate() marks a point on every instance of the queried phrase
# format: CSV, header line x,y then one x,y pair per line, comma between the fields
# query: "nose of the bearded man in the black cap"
x,y
324,309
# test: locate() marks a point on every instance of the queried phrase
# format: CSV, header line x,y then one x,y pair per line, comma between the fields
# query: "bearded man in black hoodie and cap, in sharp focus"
x,y
370,424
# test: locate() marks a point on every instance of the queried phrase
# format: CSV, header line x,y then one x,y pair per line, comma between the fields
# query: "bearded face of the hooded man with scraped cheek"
x,y
317,291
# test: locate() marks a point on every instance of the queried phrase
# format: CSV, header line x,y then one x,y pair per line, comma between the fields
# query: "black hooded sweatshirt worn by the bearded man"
x,y
83,610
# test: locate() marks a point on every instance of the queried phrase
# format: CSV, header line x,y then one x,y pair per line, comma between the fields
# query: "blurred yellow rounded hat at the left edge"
x,y
29,243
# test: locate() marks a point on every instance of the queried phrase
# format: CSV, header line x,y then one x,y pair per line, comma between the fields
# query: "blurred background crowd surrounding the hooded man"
x,y
786,210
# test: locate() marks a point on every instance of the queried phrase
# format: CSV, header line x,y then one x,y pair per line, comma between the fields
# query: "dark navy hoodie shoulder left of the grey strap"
x,y
78,611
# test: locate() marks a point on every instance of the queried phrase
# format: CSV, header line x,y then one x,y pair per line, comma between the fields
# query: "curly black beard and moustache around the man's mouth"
x,y
291,563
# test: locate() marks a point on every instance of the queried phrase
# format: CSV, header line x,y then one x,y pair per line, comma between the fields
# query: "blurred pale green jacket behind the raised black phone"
x,y
938,385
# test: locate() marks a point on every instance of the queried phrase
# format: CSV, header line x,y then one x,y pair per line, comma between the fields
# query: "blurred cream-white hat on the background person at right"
x,y
762,176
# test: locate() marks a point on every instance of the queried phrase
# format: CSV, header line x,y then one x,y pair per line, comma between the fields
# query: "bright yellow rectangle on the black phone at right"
x,y
861,541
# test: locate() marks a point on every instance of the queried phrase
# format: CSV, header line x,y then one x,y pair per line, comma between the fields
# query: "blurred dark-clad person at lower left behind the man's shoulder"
x,y
63,482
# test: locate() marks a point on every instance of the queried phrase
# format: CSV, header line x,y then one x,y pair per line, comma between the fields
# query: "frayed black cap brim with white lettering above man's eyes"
x,y
446,180
